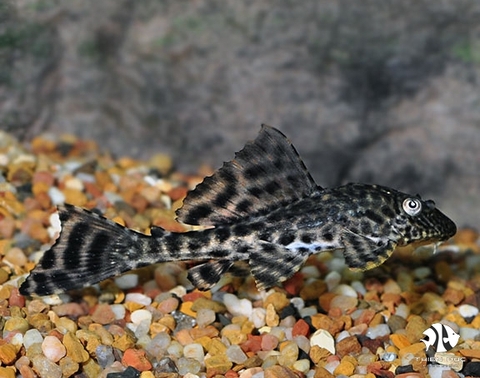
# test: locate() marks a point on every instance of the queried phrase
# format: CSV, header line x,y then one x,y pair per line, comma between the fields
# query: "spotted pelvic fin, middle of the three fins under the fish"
x,y
273,264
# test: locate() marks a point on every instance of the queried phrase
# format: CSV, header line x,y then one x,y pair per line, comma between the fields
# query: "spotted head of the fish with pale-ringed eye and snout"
x,y
419,220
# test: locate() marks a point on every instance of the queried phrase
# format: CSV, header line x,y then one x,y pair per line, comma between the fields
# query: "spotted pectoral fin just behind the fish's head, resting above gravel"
x,y
363,253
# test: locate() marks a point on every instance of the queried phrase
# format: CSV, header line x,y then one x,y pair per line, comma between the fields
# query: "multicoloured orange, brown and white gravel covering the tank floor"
x,y
326,321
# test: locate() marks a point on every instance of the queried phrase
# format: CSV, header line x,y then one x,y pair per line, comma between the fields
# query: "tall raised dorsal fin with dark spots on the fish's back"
x,y
266,174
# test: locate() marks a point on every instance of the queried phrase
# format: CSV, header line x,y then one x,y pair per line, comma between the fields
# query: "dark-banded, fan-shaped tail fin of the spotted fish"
x,y
89,249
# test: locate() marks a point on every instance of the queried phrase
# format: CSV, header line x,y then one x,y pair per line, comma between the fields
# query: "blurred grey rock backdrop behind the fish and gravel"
x,y
376,91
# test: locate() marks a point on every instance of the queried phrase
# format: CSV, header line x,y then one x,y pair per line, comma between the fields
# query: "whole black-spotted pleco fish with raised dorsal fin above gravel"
x,y
262,208
